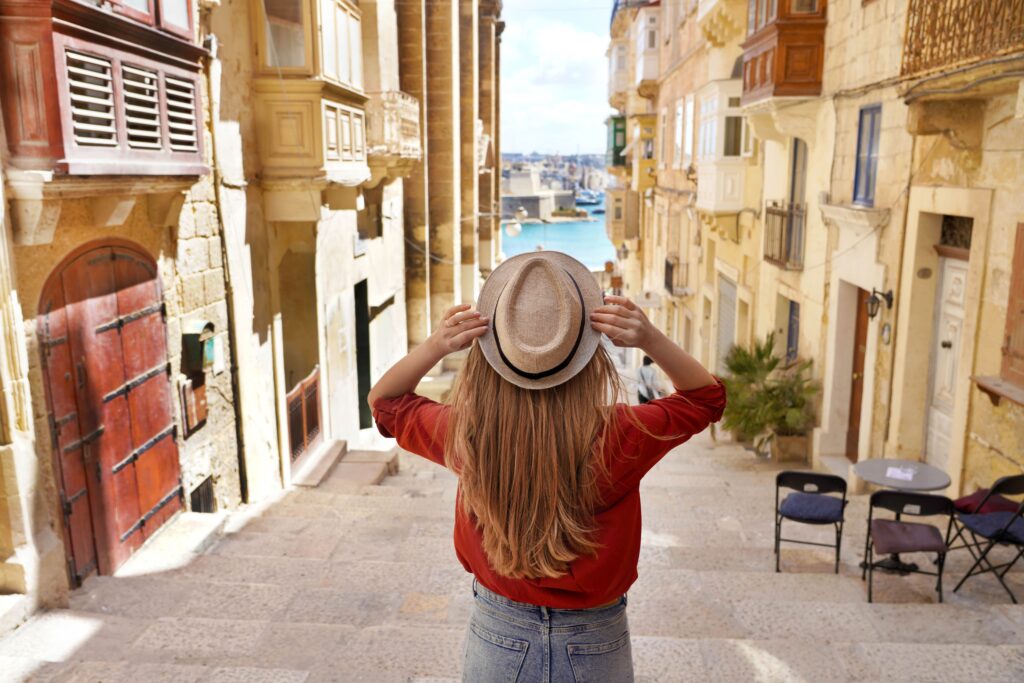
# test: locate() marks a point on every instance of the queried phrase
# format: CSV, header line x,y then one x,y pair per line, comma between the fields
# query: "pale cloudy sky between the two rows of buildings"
x,y
554,76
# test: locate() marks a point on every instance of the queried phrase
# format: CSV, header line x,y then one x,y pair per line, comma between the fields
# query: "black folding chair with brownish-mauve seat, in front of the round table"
x,y
893,537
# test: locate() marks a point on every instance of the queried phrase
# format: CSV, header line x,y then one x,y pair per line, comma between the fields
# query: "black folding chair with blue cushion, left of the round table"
x,y
809,503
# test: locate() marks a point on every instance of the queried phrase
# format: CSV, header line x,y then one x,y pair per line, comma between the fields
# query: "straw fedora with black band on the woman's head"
x,y
540,305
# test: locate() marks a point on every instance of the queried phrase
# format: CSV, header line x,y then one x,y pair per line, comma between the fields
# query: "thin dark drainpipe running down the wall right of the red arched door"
x,y
212,71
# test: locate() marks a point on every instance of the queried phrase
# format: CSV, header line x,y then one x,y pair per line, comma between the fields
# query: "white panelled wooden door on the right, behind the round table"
x,y
946,352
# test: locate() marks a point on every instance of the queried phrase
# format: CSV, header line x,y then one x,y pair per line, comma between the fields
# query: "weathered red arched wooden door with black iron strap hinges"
x,y
103,340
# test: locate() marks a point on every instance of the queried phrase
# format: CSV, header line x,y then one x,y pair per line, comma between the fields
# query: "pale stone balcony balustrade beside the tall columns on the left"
x,y
394,126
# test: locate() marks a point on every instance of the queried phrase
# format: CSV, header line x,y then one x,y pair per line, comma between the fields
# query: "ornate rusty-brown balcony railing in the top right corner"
x,y
945,33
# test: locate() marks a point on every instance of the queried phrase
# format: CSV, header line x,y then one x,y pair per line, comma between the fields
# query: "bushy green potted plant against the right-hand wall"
x,y
771,404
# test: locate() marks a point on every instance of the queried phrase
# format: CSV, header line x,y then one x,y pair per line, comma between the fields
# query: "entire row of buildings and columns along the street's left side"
x,y
209,214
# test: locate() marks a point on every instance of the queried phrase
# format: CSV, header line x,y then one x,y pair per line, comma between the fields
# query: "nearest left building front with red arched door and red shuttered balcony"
x,y
119,408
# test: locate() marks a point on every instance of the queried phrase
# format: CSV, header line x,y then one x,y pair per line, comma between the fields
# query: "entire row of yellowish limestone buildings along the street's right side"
x,y
877,234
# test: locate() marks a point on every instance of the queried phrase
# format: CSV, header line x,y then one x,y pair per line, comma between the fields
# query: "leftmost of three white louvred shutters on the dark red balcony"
x,y
91,84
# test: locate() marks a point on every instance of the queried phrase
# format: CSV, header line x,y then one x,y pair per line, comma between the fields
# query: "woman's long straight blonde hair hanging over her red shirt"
x,y
530,463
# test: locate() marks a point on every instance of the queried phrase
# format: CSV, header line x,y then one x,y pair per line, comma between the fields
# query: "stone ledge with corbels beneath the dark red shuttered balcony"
x,y
37,197
